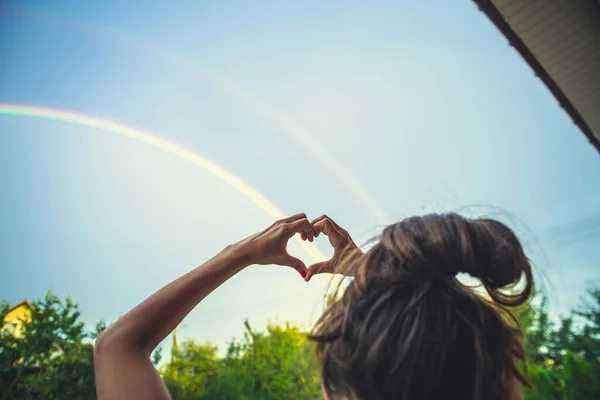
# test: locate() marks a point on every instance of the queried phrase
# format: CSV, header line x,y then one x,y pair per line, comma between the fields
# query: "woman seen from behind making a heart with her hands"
x,y
405,327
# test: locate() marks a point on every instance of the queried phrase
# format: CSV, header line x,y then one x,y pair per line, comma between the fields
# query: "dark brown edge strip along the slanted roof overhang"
x,y
489,9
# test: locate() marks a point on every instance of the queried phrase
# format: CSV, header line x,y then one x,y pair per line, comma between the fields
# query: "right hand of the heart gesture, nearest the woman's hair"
x,y
344,248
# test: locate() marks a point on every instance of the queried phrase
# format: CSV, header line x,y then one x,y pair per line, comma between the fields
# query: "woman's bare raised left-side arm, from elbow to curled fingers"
x,y
122,366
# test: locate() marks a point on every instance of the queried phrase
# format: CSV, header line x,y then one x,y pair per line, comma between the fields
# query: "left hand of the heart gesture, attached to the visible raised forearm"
x,y
270,245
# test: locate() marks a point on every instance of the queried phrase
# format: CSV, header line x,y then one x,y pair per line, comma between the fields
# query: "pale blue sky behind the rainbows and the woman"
x,y
367,114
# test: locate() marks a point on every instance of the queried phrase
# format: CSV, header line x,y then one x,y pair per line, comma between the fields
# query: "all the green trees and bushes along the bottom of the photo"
x,y
53,359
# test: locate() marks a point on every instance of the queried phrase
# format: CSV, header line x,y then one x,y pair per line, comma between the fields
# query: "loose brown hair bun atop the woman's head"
x,y
442,245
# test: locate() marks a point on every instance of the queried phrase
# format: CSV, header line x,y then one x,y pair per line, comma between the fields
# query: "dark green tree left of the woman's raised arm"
x,y
50,360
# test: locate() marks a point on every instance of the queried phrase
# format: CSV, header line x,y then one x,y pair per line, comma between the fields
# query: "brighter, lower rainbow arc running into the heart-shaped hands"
x,y
159,143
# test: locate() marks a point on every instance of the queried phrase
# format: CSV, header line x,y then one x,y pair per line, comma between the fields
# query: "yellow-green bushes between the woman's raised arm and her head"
x,y
276,364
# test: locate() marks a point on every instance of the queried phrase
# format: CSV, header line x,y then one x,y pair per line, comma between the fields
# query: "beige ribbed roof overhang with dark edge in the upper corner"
x,y
560,40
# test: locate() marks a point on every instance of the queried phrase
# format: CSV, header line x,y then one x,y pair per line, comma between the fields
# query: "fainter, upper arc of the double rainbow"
x,y
235,91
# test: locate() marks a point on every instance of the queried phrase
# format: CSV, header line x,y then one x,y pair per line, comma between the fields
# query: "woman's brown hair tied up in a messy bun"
x,y
407,328
